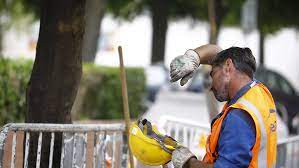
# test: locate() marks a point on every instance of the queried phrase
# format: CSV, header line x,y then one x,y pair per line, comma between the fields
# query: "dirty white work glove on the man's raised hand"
x,y
184,66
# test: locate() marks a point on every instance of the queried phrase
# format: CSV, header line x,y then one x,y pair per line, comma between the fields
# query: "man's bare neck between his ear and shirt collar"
x,y
239,81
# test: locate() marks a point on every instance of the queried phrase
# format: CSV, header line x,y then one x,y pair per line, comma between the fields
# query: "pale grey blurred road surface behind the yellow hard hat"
x,y
180,104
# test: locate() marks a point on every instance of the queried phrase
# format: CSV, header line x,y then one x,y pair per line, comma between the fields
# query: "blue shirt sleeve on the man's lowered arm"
x,y
236,140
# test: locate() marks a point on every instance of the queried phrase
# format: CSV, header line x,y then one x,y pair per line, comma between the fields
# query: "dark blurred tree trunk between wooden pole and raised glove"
x,y
160,13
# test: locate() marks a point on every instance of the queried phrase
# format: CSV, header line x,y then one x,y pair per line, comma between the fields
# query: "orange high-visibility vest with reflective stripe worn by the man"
x,y
257,102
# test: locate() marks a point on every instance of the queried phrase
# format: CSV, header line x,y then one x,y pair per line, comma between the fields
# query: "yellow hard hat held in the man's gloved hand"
x,y
148,145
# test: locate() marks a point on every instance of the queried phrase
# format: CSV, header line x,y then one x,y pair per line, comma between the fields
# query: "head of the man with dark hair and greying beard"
x,y
229,69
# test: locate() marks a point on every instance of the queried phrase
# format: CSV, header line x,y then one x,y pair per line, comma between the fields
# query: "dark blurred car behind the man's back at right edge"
x,y
285,96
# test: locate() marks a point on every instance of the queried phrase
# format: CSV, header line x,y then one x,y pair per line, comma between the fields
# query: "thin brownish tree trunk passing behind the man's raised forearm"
x,y
215,9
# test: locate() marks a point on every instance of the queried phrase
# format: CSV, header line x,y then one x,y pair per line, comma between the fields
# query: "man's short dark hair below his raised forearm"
x,y
242,58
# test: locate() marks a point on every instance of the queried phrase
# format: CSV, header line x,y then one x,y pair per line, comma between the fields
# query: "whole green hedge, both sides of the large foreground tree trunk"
x,y
99,95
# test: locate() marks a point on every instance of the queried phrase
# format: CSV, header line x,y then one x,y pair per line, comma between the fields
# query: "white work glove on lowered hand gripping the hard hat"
x,y
180,156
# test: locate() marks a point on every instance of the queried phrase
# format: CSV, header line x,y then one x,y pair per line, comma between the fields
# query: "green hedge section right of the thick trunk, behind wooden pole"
x,y
100,97
